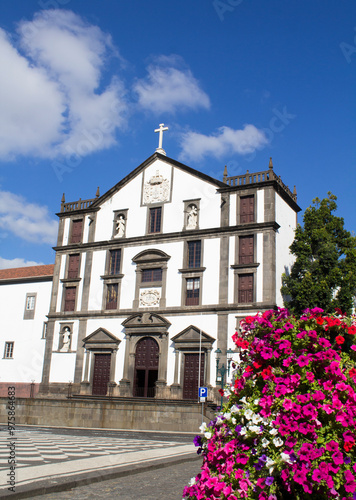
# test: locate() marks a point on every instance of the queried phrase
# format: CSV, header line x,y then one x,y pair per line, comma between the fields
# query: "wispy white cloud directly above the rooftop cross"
x,y
169,87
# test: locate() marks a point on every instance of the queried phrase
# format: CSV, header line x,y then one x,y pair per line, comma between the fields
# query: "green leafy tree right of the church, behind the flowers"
x,y
324,272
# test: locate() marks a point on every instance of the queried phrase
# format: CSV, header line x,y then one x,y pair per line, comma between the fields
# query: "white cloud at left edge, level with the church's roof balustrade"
x,y
29,221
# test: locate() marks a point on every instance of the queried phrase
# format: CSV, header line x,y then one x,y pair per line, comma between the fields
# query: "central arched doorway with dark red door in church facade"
x,y
146,368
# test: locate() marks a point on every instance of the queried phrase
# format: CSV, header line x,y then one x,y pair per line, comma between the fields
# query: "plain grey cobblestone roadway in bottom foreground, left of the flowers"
x,y
159,484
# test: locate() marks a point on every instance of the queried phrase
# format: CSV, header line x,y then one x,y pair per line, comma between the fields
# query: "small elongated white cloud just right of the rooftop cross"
x,y
196,146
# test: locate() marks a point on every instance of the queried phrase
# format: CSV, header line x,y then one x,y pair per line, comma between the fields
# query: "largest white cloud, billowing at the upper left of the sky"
x,y
50,88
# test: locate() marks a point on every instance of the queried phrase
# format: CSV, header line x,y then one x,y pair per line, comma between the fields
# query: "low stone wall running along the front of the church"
x,y
130,414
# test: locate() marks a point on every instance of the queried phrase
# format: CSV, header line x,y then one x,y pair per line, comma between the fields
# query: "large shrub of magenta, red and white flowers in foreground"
x,y
288,430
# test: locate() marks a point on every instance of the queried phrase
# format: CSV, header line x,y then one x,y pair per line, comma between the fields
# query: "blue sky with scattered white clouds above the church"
x,y
83,85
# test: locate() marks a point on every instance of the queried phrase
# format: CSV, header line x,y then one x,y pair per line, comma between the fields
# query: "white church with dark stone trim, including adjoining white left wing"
x,y
151,279
